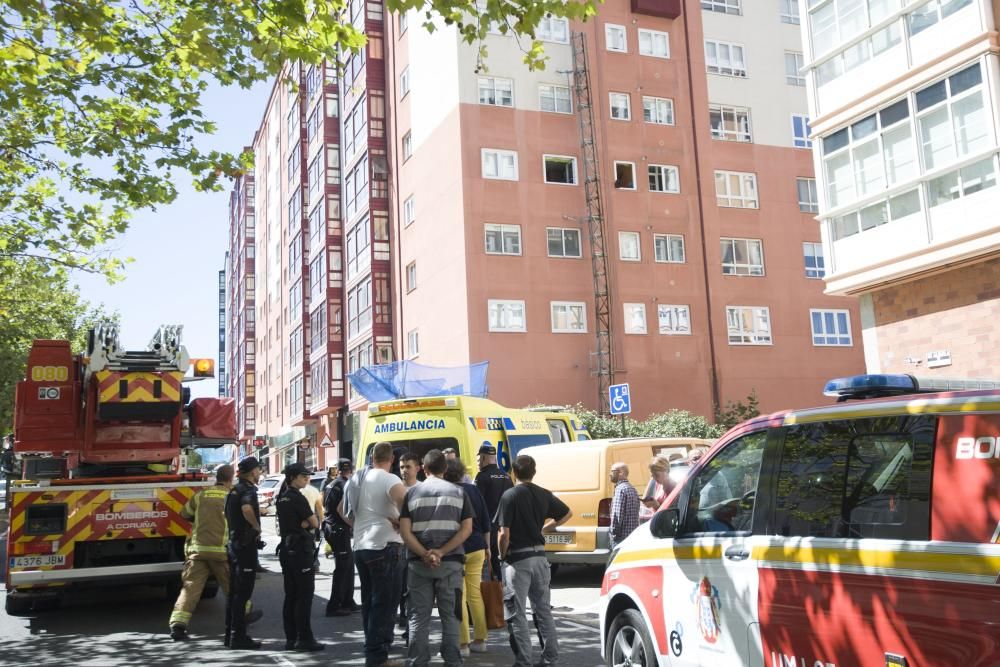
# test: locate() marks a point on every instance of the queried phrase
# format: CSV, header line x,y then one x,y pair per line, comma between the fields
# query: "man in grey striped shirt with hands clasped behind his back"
x,y
435,520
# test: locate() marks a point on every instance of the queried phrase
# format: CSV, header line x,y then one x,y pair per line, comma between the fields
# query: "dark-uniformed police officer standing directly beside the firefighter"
x,y
243,516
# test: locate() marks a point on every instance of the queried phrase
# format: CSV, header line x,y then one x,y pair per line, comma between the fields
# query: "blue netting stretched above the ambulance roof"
x,y
406,379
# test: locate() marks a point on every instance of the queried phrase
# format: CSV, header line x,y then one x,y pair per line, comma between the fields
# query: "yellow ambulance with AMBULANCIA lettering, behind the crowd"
x,y
464,423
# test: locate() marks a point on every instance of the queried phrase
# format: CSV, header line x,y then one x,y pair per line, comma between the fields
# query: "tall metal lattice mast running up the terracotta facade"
x,y
604,356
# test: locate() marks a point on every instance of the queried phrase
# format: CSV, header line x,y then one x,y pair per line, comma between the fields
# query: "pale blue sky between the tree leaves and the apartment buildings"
x,y
180,249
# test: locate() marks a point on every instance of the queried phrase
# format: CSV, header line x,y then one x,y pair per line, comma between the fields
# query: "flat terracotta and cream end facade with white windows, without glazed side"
x,y
703,155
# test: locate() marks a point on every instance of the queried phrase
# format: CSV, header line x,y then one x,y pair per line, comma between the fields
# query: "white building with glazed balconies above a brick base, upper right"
x,y
904,100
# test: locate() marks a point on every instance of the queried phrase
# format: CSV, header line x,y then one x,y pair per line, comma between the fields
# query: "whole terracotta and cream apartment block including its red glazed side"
x,y
430,206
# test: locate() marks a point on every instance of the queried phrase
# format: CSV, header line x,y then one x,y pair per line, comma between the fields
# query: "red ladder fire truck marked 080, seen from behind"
x,y
102,438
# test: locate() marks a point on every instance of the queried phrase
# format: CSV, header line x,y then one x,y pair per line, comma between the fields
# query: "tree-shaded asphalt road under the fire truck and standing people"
x,y
118,626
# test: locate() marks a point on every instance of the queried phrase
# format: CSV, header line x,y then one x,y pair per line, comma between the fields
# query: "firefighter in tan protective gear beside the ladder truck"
x,y
205,550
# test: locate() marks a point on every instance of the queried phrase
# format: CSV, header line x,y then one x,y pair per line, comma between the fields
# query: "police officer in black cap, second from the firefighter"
x,y
296,552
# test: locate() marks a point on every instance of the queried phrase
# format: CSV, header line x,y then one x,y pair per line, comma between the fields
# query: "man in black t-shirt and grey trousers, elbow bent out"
x,y
526,511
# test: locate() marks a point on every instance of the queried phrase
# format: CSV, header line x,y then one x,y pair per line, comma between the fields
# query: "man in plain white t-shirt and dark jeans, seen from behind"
x,y
374,496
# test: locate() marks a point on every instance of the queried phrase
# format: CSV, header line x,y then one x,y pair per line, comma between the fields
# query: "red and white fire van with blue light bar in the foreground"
x,y
861,533
